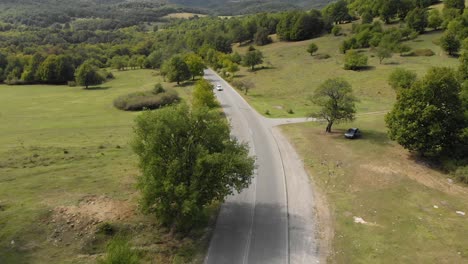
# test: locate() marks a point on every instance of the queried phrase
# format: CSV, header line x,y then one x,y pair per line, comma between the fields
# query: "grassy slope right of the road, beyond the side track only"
x,y
292,74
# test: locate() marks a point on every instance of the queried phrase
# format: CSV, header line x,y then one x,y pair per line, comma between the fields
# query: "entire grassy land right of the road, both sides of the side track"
x,y
376,202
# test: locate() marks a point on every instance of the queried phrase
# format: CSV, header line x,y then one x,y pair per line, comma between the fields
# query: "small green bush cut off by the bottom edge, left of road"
x,y
118,251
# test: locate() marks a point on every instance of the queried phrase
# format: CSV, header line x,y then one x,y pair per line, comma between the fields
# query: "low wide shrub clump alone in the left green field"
x,y
146,100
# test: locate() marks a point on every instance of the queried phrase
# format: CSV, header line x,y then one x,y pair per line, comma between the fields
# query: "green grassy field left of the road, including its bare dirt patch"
x,y
67,170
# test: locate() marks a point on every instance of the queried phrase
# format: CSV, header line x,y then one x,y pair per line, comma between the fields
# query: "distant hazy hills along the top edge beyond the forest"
x,y
122,13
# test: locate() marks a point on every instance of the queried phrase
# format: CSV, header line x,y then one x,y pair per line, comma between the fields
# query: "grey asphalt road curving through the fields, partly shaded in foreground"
x,y
273,220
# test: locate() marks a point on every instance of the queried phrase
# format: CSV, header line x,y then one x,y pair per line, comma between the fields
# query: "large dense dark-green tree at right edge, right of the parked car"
x,y
428,117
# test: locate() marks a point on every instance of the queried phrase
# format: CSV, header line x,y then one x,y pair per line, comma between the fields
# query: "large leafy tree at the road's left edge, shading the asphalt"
x,y
188,160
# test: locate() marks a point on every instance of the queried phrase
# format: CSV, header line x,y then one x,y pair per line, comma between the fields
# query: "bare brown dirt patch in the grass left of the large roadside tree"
x,y
82,221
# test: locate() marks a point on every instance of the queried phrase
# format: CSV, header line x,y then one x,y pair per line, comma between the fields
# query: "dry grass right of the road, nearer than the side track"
x,y
375,179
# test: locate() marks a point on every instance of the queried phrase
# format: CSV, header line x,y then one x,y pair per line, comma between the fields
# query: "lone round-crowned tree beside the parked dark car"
x,y
337,102
